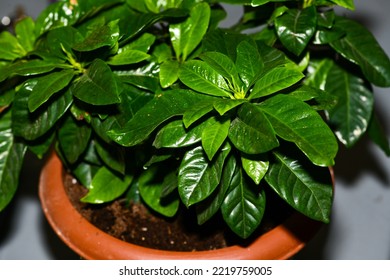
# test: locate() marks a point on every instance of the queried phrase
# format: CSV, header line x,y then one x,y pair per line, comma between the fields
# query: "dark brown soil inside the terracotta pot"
x,y
136,224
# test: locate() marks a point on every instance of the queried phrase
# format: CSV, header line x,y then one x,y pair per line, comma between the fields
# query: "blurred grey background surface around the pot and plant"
x,y
360,225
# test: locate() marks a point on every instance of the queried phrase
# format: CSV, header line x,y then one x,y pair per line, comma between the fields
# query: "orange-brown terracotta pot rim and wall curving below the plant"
x,y
89,242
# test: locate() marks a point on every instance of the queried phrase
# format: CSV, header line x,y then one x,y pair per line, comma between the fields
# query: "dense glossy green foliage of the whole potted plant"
x,y
151,102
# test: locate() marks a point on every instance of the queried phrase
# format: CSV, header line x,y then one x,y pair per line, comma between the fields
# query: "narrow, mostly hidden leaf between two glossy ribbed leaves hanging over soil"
x,y
208,207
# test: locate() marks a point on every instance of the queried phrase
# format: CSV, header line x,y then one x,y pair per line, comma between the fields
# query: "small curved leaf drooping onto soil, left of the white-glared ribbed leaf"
x,y
151,187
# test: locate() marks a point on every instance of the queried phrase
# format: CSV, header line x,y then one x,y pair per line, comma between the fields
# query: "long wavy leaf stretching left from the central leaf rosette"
x,y
163,107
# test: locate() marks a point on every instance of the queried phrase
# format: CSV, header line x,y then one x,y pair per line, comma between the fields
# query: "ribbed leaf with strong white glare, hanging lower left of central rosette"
x,y
198,177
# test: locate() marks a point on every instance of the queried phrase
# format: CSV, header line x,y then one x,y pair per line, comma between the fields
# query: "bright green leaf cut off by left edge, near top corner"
x,y
10,48
